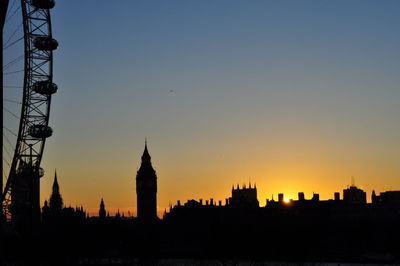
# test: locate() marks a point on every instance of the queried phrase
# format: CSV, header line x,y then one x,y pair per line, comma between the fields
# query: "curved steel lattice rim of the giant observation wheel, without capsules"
x,y
35,106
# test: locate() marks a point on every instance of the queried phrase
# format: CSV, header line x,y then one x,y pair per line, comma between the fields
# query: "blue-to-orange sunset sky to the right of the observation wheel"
x,y
293,95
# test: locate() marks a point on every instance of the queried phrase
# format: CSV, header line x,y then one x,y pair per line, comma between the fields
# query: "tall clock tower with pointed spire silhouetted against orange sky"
x,y
146,189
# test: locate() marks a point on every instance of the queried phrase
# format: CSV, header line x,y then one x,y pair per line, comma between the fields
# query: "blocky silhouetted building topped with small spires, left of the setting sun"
x,y
244,197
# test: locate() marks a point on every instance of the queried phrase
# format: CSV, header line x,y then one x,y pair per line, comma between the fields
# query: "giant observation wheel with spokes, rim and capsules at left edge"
x,y
27,73
